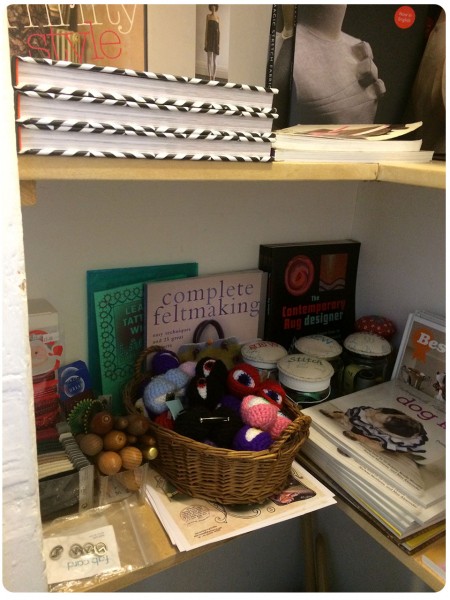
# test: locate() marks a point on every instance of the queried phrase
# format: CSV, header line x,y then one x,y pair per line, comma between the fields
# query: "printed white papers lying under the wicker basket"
x,y
194,522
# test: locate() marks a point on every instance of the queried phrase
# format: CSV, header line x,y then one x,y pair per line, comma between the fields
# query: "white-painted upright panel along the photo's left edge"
x,y
23,565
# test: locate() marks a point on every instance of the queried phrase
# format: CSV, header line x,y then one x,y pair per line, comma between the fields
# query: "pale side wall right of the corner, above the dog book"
x,y
402,262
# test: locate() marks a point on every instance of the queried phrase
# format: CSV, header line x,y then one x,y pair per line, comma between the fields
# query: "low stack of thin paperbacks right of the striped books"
x,y
351,143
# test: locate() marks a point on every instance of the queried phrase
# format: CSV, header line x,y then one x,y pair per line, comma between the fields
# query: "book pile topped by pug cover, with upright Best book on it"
x,y
384,447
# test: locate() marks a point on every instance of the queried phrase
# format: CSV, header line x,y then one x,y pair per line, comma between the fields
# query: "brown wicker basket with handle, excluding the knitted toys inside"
x,y
219,474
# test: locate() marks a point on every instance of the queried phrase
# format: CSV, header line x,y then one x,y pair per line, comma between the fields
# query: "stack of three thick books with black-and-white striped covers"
x,y
69,109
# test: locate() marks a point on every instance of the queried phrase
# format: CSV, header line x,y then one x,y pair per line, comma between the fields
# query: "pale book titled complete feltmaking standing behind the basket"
x,y
174,309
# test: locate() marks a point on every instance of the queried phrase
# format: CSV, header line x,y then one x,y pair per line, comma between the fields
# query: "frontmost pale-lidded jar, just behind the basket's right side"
x,y
306,380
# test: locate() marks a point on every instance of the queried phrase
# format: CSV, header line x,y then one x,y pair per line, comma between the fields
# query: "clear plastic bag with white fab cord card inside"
x,y
98,546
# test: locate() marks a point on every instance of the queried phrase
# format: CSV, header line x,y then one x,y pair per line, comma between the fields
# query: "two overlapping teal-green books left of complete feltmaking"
x,y
115,321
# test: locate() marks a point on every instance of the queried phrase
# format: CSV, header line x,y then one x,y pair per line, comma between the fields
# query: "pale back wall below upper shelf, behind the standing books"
x,y
79,226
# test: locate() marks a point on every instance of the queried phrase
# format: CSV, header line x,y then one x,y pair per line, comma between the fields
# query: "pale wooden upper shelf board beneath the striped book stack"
x,y
58,168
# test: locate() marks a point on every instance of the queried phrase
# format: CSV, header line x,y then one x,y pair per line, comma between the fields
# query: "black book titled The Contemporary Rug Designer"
x,y
311,289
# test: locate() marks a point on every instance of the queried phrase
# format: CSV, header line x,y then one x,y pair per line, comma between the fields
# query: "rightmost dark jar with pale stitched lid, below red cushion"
x,y
366,361
